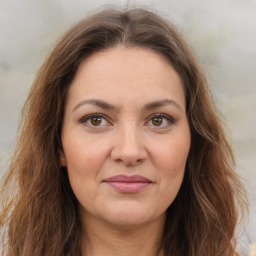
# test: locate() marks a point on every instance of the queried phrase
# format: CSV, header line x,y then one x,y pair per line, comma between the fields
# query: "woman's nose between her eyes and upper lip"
x,y
129,147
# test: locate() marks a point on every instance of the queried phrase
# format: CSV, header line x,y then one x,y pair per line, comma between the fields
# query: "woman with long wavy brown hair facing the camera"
x,y
121,151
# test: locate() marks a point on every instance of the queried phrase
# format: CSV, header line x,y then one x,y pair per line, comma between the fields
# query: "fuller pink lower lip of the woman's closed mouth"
x,y
128,187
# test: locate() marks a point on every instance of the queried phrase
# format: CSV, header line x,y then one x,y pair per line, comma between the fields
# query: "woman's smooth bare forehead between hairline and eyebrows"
x,y
121,74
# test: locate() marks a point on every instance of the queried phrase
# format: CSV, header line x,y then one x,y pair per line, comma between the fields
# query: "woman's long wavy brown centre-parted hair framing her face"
x,y
41,218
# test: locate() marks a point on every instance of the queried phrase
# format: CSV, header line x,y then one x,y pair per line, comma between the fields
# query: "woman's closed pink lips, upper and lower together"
x,y
128,184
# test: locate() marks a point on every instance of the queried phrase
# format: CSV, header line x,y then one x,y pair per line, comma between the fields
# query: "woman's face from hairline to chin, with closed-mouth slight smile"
x,y
125,136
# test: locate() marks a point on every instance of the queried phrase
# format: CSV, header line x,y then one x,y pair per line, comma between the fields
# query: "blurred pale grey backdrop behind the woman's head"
x,y
221,32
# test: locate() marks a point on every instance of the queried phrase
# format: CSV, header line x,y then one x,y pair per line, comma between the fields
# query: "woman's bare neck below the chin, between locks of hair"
x,y
99,238
